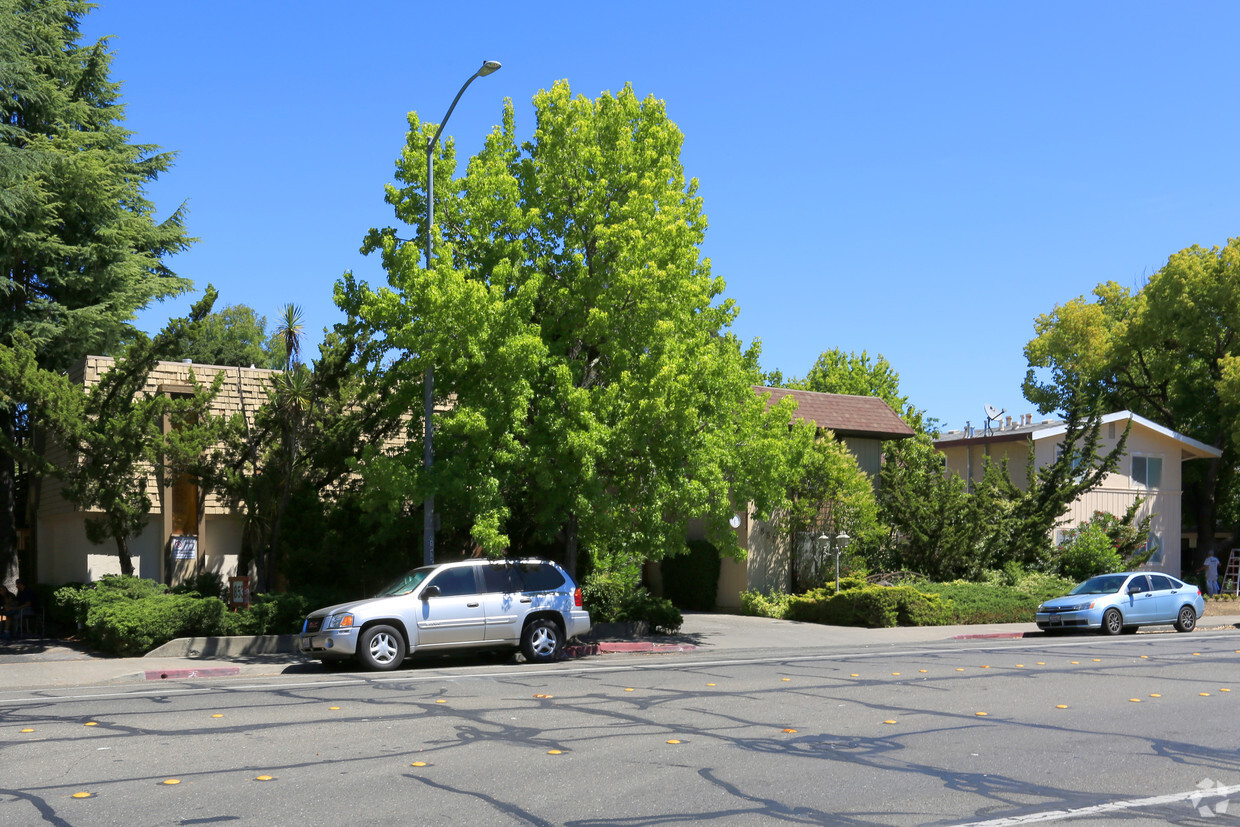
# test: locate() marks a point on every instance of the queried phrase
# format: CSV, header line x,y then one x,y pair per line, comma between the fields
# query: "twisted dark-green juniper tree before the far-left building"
x,y
112,432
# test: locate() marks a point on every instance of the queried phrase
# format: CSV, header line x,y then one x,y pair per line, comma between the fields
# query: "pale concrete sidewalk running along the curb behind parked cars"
x,y
50,664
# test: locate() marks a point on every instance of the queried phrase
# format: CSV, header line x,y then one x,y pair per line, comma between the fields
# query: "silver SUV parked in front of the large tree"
x,y
474,604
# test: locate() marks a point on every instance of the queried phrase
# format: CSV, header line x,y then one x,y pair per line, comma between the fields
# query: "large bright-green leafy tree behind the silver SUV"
x,y
597,397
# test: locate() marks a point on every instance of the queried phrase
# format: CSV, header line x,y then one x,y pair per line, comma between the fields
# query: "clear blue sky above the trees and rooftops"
x,y
911,179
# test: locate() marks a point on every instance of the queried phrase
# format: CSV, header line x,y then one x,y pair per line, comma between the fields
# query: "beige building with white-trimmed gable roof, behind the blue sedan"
x,y
1150,469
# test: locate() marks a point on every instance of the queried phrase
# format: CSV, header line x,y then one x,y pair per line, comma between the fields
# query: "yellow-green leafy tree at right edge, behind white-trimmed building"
x,y
1169,352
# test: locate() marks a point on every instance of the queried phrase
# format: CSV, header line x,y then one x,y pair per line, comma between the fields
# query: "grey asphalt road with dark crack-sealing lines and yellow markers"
x,y
1030,731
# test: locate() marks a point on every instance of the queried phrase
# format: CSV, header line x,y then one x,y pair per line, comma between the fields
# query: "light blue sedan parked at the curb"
x,y
1122,603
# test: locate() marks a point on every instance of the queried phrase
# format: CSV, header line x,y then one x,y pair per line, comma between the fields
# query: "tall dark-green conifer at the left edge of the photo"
x,y
81,247
